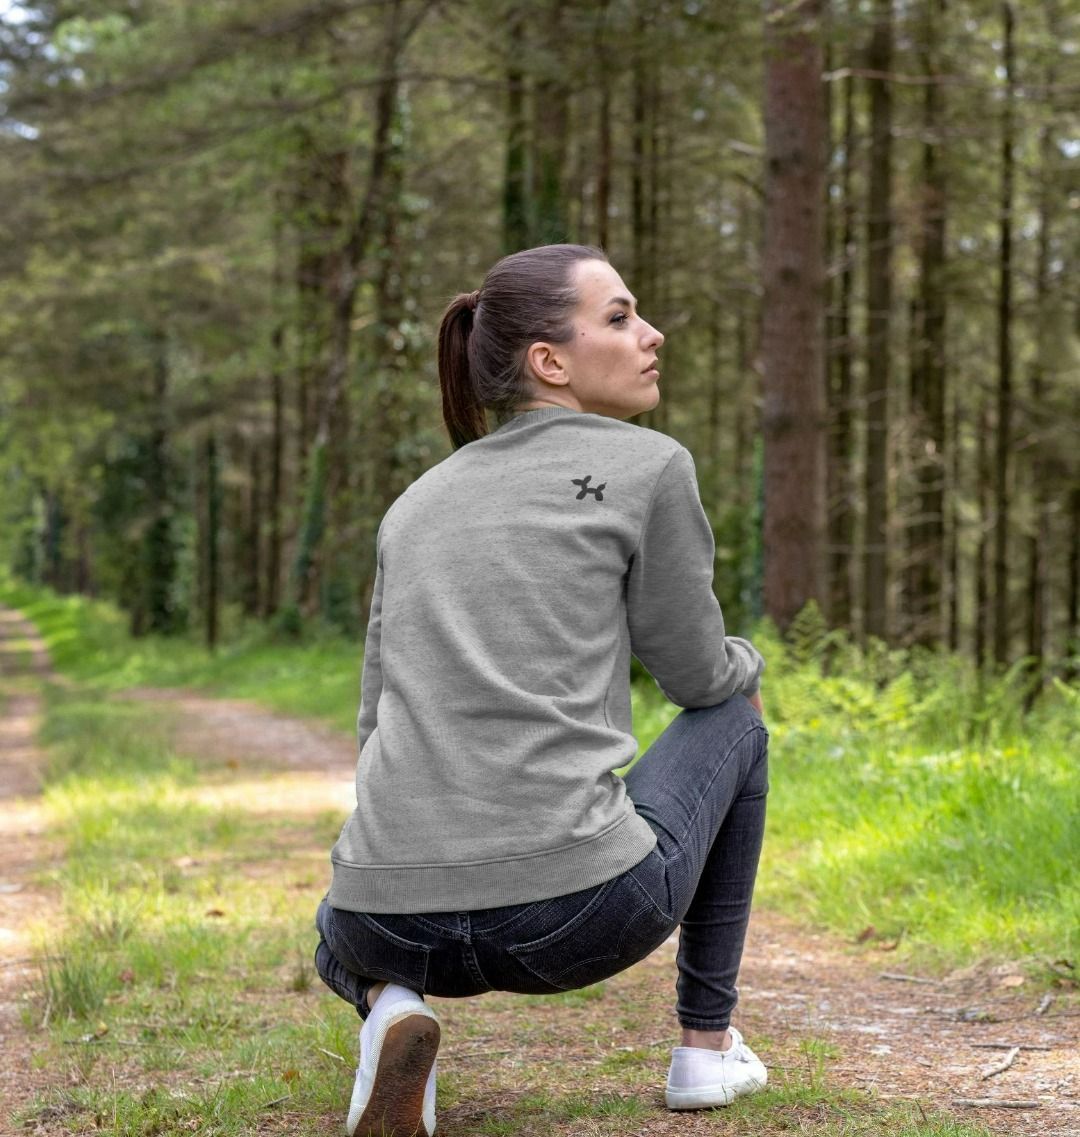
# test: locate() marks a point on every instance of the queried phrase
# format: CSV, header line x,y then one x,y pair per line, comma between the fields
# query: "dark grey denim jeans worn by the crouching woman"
x,y
702,787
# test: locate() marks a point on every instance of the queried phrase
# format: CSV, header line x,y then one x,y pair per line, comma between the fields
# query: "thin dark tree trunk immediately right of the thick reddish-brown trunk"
x,y
841,510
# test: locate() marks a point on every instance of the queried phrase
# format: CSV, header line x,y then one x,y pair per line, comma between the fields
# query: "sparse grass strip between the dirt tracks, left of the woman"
x,y
178,991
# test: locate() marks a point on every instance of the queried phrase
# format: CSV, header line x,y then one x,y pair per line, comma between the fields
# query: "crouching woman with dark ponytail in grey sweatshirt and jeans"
x,y
493,848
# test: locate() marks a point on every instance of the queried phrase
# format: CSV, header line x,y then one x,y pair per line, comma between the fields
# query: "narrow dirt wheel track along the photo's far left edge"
x,y
24,848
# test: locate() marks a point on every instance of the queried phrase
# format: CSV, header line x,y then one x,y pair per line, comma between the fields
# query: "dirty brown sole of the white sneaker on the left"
x,y
396,1106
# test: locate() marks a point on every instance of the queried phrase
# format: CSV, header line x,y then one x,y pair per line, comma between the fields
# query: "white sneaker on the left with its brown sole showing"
x,y
395,1089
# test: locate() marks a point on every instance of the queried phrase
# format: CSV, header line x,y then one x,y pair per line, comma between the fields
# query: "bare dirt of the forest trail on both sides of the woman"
x,y
912,1039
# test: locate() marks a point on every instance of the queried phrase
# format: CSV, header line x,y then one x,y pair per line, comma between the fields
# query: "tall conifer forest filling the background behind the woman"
x,y
229,234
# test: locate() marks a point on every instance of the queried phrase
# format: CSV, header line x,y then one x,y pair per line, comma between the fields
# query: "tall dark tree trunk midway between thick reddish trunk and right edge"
x,y
927,535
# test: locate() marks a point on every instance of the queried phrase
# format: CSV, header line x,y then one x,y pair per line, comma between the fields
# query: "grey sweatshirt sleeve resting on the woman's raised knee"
x,y
677,628
